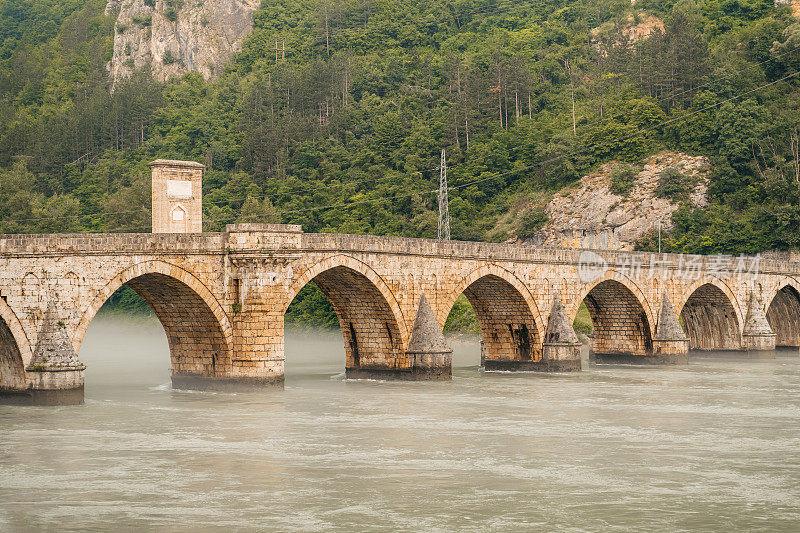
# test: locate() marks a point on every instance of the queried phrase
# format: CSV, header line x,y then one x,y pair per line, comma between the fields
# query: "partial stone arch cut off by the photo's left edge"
x,y
15,350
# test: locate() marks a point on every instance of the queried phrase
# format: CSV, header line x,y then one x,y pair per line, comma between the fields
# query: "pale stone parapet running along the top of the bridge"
x,y
267,237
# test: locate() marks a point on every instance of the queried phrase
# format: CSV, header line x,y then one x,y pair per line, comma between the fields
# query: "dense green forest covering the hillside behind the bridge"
x,y
525,96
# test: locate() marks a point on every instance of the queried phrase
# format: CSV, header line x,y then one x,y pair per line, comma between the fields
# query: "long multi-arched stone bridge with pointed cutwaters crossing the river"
x,y
221,298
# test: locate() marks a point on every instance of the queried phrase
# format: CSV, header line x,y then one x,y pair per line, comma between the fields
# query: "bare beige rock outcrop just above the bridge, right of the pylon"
x,y
591,215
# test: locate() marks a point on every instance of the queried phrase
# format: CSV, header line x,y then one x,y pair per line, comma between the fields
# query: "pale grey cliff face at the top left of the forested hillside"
x,y
177,36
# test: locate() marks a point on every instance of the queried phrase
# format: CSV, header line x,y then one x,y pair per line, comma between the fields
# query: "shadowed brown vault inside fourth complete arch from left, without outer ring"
x,y
619,323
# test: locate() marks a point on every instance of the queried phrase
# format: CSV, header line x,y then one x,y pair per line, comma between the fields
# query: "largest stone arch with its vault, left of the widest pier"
x,y
199,332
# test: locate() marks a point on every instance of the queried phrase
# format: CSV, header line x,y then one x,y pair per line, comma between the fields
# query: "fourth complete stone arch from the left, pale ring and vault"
x,y
622,318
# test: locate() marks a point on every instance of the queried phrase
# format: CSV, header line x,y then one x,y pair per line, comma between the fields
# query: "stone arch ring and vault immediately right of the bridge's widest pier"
x,y
371,320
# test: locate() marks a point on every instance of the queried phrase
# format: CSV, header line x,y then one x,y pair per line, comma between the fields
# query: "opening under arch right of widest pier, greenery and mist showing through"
x,y
343,298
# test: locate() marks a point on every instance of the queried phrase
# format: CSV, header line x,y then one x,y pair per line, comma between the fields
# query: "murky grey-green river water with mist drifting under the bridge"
x,y
714,445
